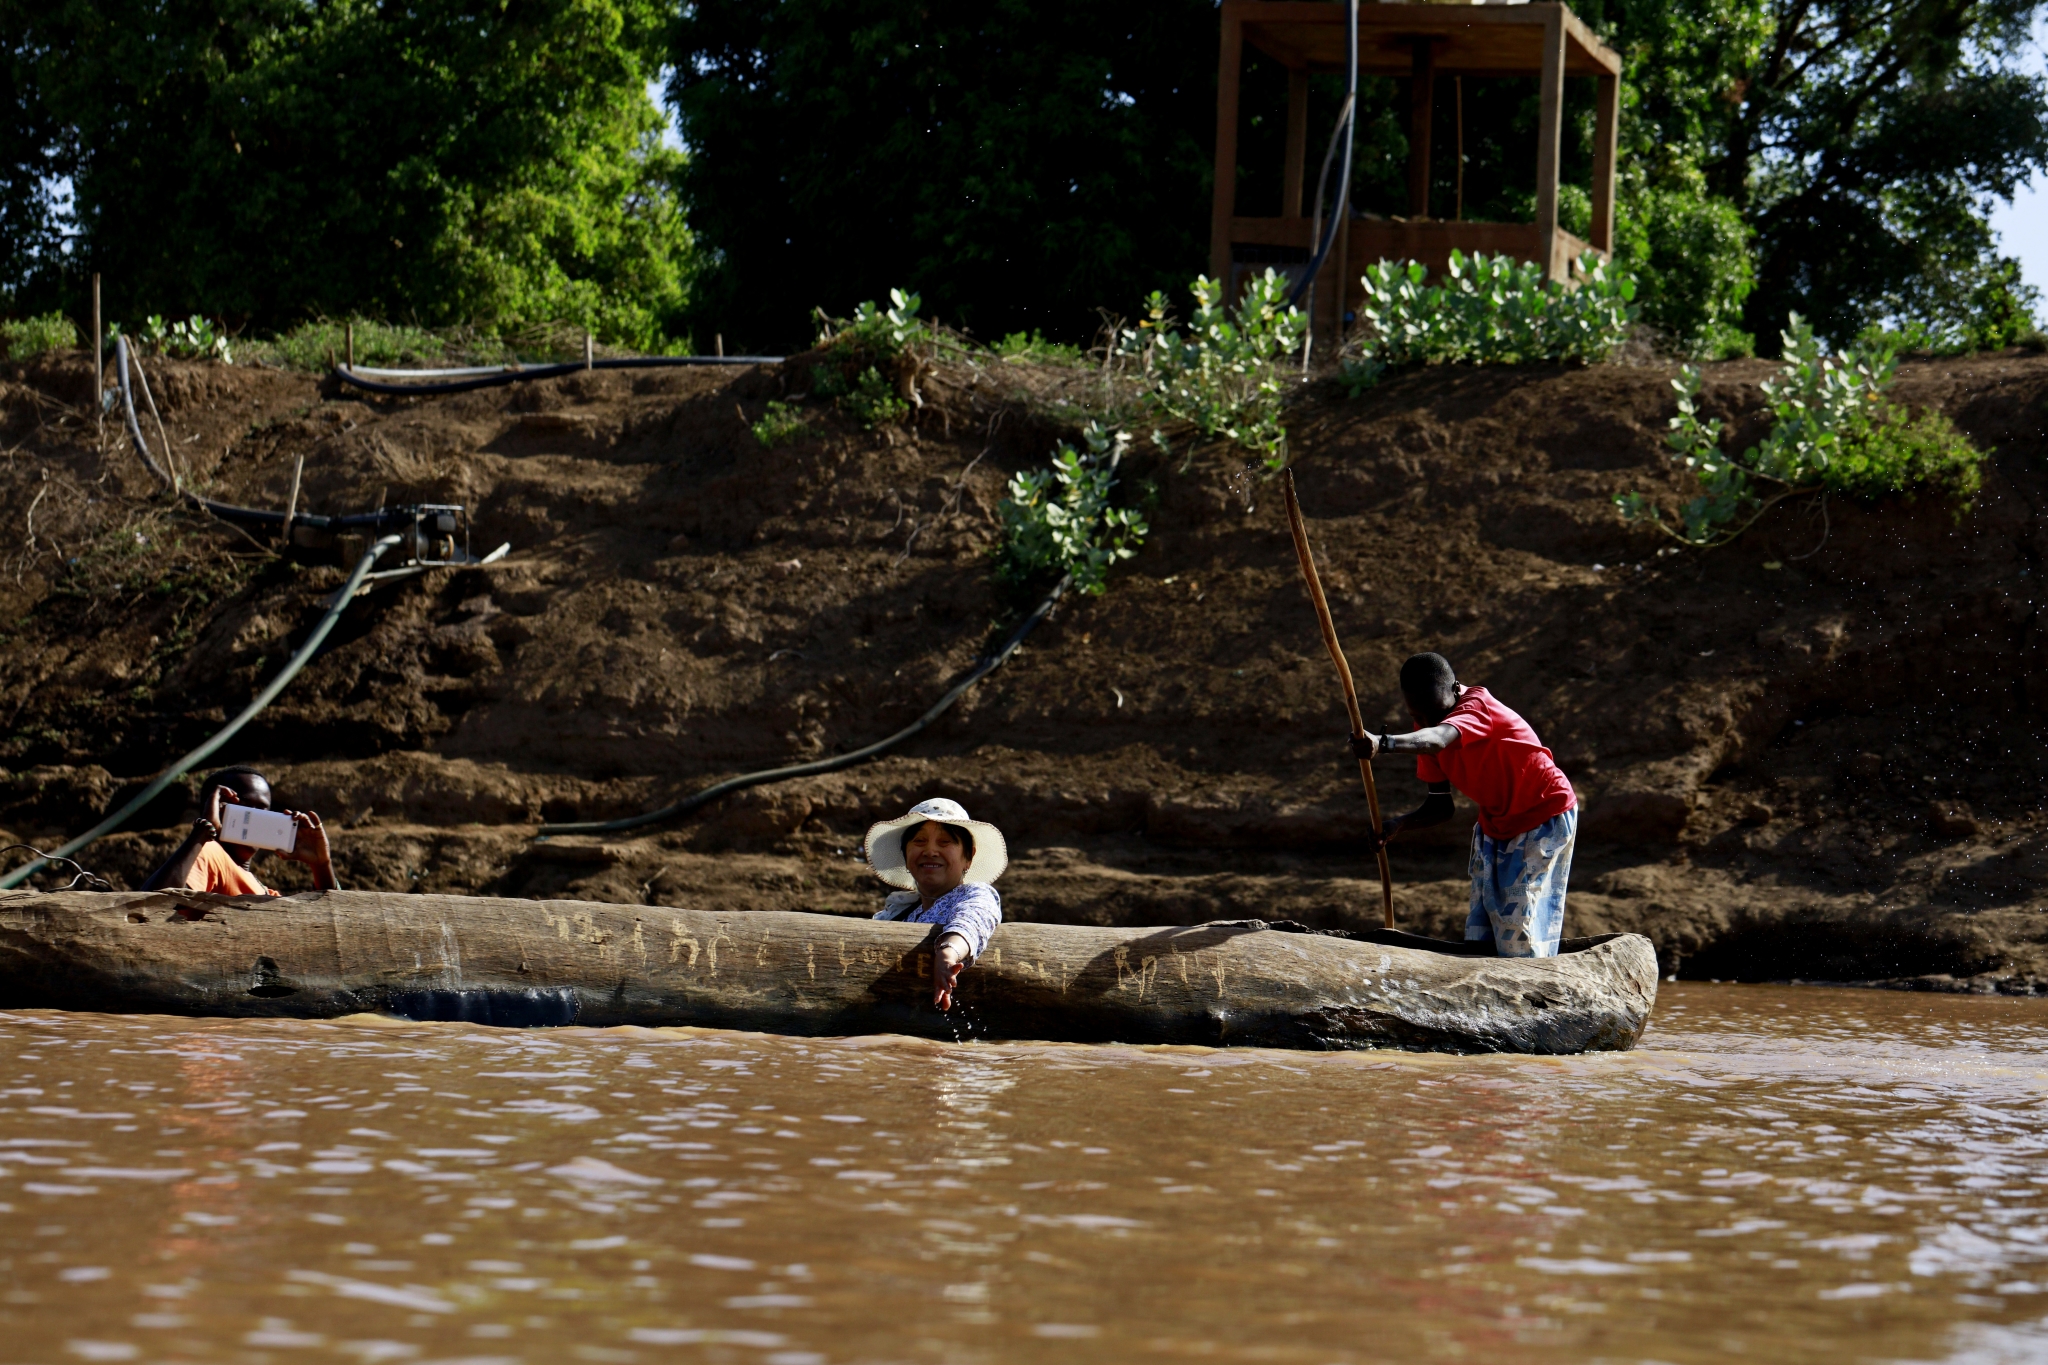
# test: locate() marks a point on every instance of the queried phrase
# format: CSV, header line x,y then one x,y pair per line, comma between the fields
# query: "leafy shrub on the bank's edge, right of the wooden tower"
x,y
1832,433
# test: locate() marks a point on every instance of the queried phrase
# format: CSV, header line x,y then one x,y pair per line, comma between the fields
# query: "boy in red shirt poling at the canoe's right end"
x,y
1529,816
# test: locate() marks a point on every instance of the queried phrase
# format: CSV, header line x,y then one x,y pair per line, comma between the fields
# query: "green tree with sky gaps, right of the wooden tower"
x,y
1861,142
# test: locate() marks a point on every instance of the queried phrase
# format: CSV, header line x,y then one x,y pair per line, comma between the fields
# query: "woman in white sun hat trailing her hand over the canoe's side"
x,y
943,863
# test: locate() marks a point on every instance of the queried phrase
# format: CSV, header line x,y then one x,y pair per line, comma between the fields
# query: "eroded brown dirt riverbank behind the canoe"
x,y
1807,756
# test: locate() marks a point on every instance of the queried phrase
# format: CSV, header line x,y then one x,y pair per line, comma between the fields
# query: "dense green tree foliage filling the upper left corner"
x,y
269,161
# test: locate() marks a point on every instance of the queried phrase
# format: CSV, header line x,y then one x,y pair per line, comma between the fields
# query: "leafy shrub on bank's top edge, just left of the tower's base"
x,y
1226,371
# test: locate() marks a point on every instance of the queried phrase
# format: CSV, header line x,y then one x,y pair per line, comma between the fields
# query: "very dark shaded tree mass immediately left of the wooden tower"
x,y
1023,163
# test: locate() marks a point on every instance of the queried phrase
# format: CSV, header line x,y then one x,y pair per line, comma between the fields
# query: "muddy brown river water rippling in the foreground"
x,y
1781,1174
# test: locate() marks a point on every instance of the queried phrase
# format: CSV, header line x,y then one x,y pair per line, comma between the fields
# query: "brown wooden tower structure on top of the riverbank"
x,y
1422,44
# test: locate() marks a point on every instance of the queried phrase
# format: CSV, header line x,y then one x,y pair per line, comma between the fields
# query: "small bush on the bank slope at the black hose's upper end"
x,y
1060,521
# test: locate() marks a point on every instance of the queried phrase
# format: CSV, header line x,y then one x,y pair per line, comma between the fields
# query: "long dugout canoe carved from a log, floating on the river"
x,y
554,963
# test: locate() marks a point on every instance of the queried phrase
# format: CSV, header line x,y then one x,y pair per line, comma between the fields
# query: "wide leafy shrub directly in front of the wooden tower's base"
x,y
1488,310
